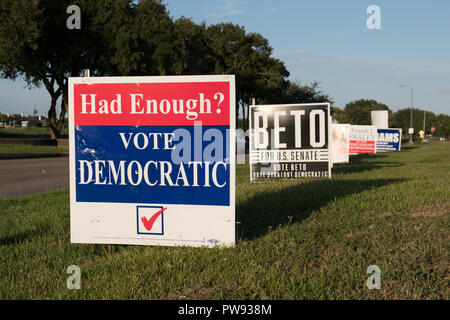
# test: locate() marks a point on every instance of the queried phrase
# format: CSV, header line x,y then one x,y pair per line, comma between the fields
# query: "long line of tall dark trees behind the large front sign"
x,y
136,38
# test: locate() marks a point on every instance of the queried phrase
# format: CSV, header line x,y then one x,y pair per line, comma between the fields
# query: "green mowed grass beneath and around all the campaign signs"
x,y
297,240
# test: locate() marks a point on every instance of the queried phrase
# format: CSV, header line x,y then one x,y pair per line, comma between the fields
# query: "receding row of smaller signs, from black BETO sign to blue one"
x,y
299,140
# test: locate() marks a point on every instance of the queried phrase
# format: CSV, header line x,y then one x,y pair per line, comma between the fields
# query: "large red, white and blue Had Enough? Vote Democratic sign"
x,y
152,160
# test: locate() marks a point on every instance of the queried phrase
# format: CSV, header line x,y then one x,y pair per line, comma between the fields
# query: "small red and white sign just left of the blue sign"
x,y
363,139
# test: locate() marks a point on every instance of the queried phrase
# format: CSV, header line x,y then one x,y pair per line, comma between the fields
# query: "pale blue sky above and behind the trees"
x,y
328,41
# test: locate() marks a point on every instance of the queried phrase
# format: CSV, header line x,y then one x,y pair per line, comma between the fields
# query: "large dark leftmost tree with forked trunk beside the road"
x,y
36,45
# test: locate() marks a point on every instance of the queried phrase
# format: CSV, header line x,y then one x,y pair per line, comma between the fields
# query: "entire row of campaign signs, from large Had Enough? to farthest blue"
x,y
152,159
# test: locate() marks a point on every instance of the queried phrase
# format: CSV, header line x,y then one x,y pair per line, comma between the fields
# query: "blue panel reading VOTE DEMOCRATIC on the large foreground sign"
x,y
153,164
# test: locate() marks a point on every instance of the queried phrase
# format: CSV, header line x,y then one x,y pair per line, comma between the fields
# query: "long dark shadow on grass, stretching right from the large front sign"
x,y
295,203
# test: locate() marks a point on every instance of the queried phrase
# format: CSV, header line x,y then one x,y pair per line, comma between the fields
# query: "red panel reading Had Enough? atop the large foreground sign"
x,y
152,104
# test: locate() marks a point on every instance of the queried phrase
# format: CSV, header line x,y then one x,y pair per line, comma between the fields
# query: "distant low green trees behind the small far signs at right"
x,y
358,113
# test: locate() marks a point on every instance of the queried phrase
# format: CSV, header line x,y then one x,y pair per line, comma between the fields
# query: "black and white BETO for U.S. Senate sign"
x,y
290,141
